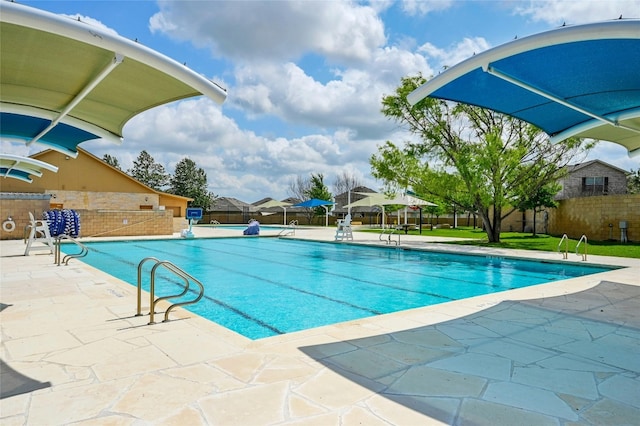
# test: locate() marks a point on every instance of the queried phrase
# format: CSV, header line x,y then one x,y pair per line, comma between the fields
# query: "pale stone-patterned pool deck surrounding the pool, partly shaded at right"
x,y
562,353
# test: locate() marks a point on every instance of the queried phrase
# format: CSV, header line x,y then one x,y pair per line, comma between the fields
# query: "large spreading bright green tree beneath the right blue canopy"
x,y
493,157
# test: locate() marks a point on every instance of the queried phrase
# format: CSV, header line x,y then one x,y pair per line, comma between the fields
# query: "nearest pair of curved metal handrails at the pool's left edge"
x,y
152,299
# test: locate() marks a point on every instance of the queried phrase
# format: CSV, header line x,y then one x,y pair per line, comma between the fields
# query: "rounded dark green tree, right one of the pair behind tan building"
x,y
190,181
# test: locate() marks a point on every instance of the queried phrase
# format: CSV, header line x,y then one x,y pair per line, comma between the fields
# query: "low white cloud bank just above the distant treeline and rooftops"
x,y
238,162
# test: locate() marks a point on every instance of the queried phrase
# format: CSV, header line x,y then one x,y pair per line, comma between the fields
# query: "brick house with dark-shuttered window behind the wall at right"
x,y
591,179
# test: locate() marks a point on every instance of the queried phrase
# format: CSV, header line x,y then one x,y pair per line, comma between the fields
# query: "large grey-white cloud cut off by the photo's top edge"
x,y
343,32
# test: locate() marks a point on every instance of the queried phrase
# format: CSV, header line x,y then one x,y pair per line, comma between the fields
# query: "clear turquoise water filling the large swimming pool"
x,y
261,287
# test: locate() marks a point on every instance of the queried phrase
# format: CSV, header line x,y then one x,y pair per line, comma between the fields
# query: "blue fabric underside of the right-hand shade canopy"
x,y
587,75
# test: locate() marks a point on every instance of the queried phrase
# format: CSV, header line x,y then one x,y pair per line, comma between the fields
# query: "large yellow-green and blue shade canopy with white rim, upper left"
x,y
63,82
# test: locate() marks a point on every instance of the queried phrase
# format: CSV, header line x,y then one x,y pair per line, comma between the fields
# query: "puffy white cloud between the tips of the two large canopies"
x,y
351,100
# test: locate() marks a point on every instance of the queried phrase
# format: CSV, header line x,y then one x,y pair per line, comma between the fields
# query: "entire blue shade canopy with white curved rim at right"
x,y
579,81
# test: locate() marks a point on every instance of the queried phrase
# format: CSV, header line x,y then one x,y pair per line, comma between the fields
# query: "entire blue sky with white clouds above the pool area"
x,y
305,79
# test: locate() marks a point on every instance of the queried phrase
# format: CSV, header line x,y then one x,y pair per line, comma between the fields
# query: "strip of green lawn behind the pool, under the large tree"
x,y
516,240
